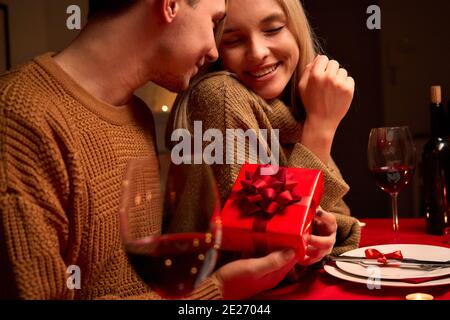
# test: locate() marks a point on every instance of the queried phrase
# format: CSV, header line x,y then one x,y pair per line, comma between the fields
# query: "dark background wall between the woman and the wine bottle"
x,y
393,69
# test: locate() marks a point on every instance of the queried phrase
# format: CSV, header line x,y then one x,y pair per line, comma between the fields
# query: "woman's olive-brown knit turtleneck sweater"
x,y
222,102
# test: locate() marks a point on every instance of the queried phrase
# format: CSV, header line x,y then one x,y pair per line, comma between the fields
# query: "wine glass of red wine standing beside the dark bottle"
x,y
392,161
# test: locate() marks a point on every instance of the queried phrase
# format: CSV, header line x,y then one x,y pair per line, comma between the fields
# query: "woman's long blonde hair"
x,y
309,47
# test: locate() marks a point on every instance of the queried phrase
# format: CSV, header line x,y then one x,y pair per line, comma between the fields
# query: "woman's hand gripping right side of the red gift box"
x,y
322,240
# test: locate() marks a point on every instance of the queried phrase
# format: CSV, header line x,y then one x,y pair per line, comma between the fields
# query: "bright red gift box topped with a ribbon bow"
x,y
265,213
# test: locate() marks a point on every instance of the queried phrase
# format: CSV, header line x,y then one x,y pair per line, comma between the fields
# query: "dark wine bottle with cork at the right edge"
x,y
436,168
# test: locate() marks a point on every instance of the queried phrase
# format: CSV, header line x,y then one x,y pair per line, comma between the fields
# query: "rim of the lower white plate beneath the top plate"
x,y
373,283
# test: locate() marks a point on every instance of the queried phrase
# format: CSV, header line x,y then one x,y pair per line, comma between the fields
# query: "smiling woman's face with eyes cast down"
x,y
259,48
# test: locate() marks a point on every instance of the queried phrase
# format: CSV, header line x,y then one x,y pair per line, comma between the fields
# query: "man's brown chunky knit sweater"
x,y
63,155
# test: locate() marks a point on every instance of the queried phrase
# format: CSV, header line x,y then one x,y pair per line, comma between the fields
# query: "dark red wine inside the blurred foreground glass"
x,y
173,265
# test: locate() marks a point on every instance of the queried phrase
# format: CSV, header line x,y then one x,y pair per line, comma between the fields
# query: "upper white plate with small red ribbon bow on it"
x,y
415,251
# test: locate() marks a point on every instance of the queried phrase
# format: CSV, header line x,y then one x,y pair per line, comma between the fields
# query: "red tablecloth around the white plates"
x,y
319,285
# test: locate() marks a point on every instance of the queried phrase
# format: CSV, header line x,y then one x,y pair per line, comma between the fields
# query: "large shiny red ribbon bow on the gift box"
x,y
267,194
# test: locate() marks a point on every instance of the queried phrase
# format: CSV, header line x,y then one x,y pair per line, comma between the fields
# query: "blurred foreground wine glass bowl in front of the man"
x,y
172,251
